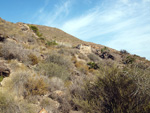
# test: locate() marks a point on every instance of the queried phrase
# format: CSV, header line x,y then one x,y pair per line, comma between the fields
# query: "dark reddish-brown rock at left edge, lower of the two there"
x,y
4,71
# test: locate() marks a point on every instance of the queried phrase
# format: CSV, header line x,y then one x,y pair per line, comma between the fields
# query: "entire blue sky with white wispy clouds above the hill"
x,y
118,24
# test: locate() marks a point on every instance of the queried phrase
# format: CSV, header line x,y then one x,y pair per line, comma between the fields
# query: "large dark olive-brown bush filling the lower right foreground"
x,y
112,92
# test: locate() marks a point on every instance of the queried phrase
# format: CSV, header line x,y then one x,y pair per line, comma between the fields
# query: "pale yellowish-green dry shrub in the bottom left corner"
x,y
9,105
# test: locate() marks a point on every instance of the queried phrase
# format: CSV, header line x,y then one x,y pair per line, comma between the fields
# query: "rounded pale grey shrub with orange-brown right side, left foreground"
x,y
26,84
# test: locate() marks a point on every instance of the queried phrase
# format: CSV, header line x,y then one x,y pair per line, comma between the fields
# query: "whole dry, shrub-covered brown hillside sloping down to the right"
x,y
45,69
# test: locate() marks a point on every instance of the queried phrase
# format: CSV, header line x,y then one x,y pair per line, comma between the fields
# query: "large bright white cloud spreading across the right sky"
x,y
123,25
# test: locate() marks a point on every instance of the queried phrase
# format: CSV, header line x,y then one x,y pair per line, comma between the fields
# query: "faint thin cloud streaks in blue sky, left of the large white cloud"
x,y
51,16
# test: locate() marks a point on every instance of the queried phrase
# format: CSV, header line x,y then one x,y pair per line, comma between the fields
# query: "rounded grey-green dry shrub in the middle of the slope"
x,y
56,66
